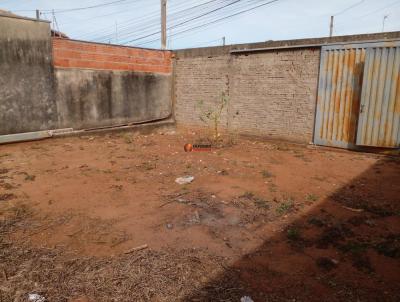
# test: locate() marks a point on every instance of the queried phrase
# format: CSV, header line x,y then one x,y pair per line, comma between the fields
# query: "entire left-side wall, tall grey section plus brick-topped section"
x,y
50,83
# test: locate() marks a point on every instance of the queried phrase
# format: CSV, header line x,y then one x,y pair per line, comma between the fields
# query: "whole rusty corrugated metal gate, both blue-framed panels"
x,y
359,95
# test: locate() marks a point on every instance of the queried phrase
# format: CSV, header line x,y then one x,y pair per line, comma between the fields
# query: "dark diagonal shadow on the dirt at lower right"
x,y
346,249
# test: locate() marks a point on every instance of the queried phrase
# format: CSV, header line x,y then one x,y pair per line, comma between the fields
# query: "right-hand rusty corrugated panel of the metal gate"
x,y
379,118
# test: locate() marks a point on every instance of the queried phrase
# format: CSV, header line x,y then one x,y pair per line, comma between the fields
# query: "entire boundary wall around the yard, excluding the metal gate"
x,y
272,93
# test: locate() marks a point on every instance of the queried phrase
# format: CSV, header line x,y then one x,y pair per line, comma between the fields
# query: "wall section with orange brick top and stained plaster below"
x,y
100,85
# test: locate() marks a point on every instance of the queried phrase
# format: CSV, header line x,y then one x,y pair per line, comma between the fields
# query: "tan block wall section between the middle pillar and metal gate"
x,y
273,94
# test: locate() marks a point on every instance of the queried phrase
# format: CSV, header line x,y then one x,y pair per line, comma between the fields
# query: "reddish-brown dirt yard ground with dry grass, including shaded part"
x,y
100,218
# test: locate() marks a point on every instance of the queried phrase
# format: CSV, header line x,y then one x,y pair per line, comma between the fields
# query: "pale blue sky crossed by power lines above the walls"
x,y
137,22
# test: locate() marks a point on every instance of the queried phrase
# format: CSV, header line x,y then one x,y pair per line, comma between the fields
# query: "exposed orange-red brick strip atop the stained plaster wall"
x,y
76,54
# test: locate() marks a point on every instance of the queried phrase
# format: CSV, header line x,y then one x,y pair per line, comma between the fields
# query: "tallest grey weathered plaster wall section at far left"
x,y
26,77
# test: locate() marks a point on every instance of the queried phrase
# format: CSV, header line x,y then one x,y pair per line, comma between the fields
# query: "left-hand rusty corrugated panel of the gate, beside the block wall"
x,y
339,95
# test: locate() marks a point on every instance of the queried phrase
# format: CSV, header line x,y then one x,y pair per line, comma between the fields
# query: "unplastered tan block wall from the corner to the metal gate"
x,y
271,94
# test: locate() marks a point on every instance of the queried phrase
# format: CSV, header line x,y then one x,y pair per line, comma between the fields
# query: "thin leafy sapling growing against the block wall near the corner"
x,y
212,115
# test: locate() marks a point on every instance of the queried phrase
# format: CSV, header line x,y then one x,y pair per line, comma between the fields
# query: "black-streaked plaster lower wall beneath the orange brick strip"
x,y
98,98
